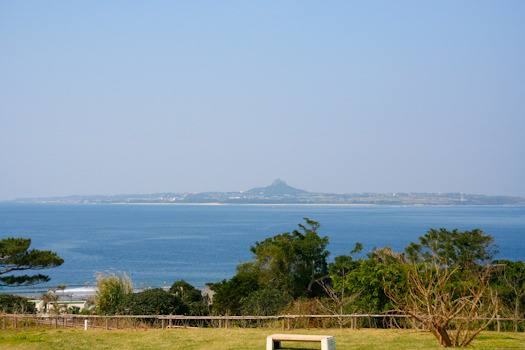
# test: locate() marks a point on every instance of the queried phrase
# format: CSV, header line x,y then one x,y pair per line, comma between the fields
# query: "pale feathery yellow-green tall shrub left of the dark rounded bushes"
x,y
111,291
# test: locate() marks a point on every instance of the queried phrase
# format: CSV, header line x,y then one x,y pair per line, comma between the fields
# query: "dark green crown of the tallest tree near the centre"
x,y
294,262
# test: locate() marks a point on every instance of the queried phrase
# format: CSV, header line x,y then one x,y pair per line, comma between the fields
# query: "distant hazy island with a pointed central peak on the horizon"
x,y
280,193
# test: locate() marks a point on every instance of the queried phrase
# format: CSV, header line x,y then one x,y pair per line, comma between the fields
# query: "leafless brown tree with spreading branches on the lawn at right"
x,y
454,304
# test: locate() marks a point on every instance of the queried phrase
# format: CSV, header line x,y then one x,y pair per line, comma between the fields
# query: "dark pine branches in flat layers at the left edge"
x,y
15,256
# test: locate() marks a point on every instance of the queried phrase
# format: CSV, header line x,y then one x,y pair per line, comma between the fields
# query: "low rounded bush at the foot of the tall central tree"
x,y
265,302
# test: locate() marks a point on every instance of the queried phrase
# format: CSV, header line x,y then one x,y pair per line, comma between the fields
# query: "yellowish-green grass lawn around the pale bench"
x,y
236,338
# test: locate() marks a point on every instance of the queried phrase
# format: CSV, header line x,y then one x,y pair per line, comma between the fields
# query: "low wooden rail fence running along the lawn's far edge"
x,y
354,321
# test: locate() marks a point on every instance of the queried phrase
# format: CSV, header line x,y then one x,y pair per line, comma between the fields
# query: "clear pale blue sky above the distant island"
x,y
123,97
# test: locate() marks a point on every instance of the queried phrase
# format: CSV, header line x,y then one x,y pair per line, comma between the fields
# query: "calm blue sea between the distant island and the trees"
x,y
159,244
